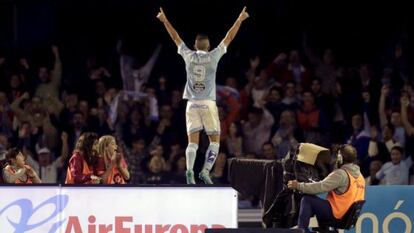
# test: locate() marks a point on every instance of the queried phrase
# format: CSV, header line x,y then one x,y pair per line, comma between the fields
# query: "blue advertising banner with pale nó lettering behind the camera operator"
x,y
388,209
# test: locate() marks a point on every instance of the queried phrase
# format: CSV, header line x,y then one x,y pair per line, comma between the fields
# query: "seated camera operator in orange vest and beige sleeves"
x,y
344,185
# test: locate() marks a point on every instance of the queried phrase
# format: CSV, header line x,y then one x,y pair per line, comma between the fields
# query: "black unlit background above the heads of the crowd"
x,y
357,31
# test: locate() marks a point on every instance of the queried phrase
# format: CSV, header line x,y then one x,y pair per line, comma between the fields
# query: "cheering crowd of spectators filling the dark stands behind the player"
x,y
265,109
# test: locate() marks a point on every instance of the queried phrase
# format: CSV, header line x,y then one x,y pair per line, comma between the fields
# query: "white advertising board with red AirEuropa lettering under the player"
x,y
126,209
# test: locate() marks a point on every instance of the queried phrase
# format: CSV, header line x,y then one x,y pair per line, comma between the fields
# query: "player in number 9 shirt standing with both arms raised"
x,y
200,91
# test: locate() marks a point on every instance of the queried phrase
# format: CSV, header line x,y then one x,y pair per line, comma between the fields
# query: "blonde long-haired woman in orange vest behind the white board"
x,y
115,170
